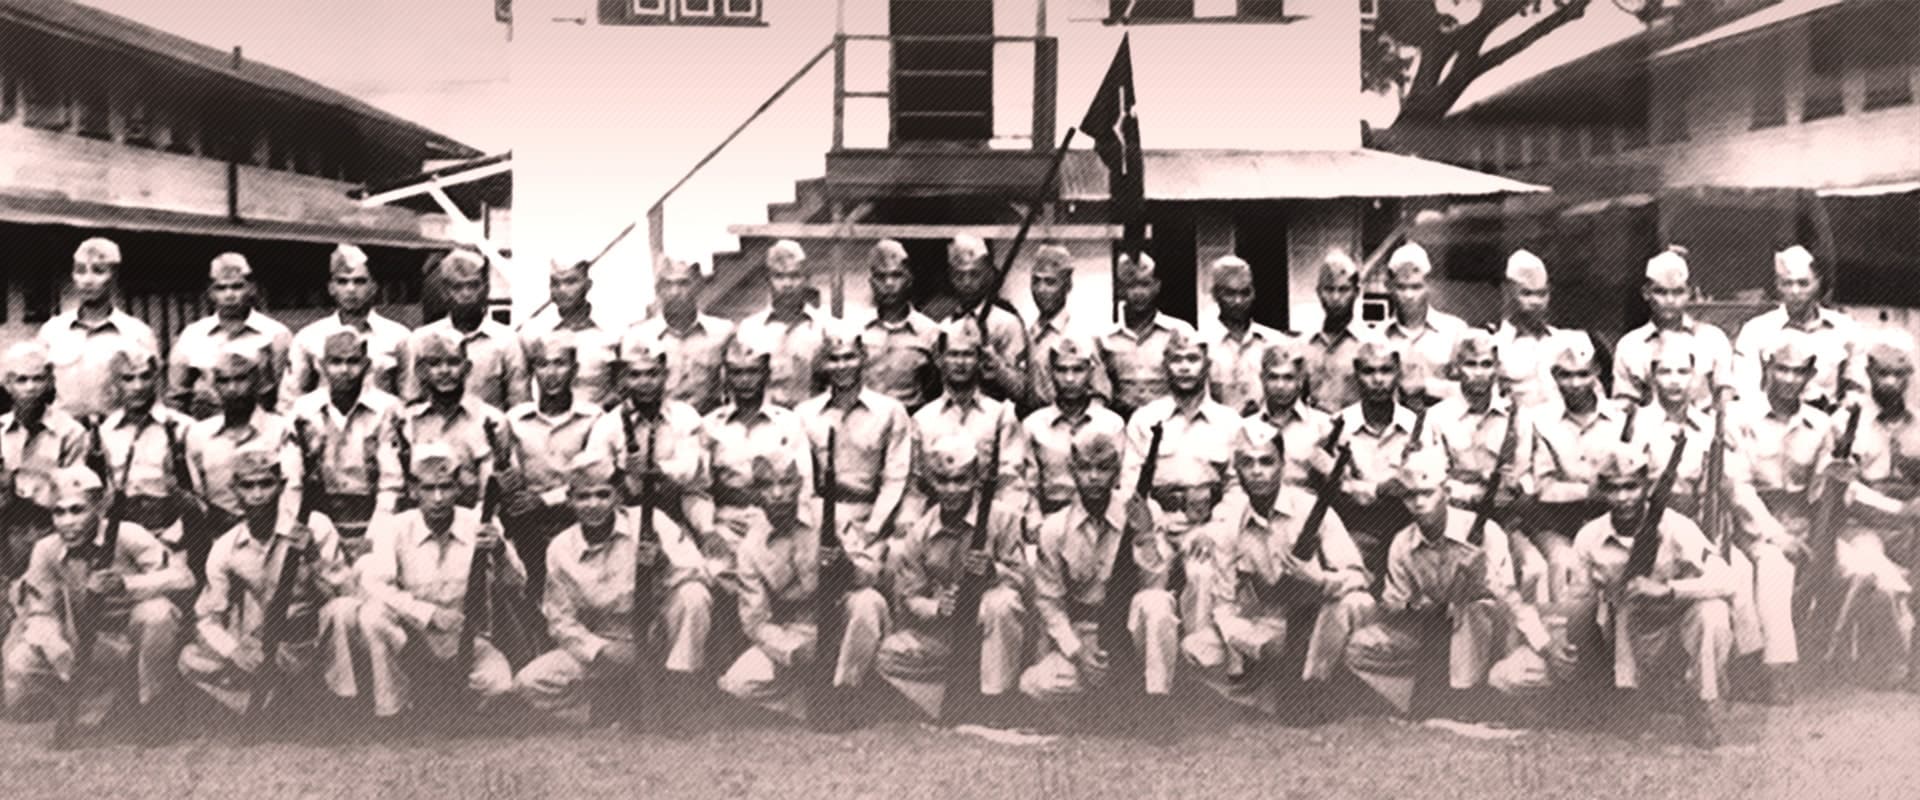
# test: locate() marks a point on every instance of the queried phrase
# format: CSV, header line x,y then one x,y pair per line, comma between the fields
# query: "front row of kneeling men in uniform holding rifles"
x,y
398,609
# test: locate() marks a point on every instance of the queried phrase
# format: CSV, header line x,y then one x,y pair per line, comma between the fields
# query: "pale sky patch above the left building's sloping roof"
x,y
437,62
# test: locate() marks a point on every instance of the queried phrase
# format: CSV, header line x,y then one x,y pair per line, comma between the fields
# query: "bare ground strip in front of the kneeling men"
x,y
1838,741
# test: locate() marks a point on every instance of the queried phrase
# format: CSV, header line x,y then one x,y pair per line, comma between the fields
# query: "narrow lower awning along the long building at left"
x,y
120,218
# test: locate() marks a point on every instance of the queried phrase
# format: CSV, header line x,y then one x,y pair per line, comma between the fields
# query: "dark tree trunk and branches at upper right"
x,y
1451,51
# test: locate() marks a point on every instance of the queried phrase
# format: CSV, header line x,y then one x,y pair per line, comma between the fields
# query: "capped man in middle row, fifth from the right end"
x,y
1476,431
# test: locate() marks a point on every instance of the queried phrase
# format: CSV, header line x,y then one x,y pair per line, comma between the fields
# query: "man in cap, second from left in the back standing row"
x,y
233,323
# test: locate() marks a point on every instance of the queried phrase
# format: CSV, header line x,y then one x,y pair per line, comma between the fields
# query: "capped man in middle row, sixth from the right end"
x,y
1381,435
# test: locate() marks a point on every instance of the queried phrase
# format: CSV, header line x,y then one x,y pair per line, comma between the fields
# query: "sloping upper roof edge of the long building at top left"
x,y
91,26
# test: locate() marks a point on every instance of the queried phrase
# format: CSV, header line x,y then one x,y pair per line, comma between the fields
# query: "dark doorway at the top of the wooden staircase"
x,y
942,87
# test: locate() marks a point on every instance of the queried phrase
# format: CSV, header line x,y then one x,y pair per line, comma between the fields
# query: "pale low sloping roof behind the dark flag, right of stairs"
x,y
1287,176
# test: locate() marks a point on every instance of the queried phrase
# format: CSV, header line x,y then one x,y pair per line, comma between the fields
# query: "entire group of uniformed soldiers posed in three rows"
x,y
949,500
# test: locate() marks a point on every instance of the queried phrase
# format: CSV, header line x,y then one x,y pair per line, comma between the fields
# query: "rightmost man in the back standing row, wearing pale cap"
x,y
1831,335
